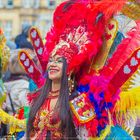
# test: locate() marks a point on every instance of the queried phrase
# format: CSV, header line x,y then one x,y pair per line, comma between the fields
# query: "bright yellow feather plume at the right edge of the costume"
x,y
129,103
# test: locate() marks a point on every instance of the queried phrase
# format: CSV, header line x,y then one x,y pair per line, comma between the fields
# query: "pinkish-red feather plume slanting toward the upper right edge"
x,y
124,50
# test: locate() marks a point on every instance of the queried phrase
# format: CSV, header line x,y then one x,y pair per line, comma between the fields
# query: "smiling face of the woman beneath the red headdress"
x,y
54,67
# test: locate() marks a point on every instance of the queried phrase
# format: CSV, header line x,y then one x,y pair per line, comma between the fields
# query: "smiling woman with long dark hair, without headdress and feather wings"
x,y
50,115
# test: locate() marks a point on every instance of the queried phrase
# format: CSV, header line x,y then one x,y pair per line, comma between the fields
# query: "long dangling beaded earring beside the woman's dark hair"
x,y
71,83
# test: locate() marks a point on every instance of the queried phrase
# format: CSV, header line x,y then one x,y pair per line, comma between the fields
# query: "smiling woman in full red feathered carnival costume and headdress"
x,y
78,85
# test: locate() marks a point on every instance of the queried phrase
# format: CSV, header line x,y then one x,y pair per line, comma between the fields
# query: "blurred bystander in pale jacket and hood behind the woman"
x,y
17,85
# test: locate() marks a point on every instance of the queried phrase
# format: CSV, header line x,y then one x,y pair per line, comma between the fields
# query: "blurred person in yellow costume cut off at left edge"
x,y
15,122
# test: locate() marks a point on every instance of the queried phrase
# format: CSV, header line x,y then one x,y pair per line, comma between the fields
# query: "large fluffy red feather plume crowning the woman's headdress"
x,y
68,17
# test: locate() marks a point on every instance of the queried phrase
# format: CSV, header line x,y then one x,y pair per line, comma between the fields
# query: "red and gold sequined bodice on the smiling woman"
x,y
46,120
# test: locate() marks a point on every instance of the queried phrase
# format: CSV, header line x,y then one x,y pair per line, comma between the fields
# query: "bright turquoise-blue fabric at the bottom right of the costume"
x,y
117,133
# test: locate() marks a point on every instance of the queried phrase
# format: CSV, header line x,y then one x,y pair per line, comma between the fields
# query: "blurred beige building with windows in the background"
x,y
15,14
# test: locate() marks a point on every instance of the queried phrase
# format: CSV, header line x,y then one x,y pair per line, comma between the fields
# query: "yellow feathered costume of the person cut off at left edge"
x,y
16,124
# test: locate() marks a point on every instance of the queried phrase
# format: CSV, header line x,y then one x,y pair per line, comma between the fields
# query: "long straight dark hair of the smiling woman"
x,y
67,126
